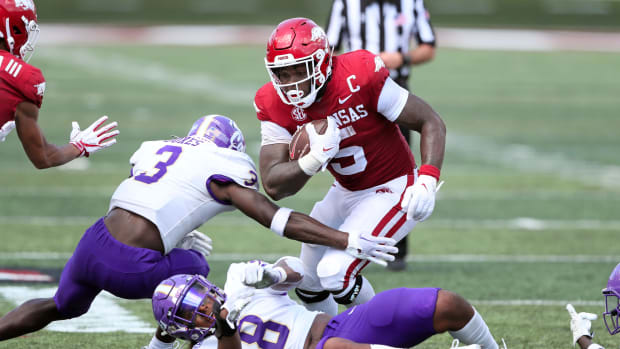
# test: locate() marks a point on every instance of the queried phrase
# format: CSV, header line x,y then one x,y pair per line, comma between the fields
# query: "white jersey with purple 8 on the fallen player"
x,y
271,319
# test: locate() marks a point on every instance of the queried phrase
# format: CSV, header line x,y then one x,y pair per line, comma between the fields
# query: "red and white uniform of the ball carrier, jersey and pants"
x,y
372,168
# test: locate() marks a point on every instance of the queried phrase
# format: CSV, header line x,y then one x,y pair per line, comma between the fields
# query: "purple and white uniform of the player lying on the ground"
x,y
400,318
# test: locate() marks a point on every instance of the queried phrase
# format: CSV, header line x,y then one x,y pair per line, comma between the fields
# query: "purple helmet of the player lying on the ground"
x,y
176,303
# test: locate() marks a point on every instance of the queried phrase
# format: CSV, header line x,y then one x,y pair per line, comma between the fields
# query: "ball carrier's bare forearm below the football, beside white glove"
x,y
284,179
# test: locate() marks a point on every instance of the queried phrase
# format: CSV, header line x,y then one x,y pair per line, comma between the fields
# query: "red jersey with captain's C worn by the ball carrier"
x,y
372,149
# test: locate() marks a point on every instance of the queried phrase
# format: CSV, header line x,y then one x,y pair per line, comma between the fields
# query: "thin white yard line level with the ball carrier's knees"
x,y
452,258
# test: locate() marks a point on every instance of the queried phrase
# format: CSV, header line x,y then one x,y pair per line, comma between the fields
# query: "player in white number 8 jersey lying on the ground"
x,y
255,300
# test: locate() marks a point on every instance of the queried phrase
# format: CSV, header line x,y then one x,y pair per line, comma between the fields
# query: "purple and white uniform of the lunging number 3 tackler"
x,y
168,186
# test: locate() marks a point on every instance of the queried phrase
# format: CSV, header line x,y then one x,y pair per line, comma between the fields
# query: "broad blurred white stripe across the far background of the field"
x,y
210,35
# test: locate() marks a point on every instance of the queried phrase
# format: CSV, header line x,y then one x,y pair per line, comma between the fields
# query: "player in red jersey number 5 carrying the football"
x,y
378,188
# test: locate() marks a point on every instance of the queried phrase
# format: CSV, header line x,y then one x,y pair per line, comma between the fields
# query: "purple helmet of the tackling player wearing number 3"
x,y
219,129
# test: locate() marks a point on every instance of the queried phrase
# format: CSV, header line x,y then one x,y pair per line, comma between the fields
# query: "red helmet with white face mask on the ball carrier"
x,y
299,41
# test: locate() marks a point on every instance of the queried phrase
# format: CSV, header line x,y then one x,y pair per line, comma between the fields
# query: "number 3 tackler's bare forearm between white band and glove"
x,y
306,229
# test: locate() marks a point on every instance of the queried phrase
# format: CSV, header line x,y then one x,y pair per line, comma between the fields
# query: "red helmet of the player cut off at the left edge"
x,y
18,27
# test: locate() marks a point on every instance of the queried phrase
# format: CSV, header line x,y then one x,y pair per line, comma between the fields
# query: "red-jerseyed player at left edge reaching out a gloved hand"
x,y
21,93
